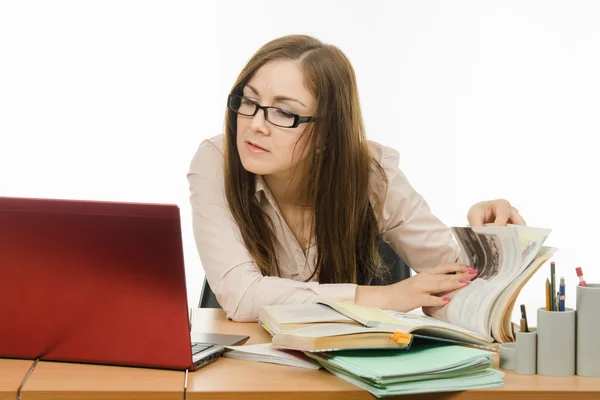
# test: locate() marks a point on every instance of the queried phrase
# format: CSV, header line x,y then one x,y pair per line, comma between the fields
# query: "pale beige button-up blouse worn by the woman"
x,y
407,224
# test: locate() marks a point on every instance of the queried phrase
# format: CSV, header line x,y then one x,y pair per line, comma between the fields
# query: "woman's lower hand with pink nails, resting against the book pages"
x,y
424,289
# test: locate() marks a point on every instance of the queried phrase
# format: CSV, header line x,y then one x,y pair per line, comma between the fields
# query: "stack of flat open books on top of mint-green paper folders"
x,y
383,352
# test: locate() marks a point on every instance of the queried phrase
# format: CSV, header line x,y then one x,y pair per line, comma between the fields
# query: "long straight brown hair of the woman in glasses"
x,y
336,183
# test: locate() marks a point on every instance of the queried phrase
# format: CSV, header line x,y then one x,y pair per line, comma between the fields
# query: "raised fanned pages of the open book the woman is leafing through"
x,y
506,257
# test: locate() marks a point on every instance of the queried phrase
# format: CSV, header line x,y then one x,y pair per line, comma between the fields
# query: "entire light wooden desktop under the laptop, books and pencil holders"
x,y
228,379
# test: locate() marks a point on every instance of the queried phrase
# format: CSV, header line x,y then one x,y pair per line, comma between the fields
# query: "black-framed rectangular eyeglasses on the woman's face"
x,y
274,115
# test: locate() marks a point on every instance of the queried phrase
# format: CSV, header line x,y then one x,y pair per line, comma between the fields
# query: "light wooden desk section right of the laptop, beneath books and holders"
x,y
228,378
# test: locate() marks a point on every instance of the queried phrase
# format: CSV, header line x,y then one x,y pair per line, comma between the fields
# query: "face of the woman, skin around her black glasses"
x,y
264,148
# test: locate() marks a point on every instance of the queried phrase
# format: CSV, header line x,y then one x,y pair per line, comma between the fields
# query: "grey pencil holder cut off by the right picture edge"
x,y
588,330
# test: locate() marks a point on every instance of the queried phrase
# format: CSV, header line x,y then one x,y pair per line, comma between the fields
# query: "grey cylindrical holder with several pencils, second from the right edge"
x,y
556,342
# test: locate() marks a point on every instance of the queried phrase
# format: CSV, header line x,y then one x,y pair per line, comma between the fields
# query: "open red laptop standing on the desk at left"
x,y
97,282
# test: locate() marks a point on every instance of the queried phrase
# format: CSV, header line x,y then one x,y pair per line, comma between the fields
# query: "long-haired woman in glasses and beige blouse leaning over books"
x,y
289,203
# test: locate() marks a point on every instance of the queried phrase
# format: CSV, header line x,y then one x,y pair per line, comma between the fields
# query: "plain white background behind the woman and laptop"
x,y
108,100
